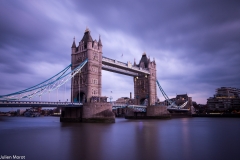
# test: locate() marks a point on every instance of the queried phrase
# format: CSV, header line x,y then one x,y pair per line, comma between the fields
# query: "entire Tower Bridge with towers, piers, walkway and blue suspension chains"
x,y
87,104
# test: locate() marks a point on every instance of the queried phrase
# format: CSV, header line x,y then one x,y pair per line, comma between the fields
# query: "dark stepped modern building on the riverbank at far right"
x,y
225,99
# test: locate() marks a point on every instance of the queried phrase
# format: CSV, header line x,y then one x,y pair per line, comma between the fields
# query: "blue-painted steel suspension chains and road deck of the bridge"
x,y
58,80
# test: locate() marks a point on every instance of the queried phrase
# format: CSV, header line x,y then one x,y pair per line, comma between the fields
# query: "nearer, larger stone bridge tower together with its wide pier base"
x,y
86,86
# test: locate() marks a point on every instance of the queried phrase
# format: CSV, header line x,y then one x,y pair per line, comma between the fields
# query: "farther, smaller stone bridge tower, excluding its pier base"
x,y
145,85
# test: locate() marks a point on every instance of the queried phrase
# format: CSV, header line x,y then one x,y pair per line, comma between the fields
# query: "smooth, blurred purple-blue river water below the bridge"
x,y
181,138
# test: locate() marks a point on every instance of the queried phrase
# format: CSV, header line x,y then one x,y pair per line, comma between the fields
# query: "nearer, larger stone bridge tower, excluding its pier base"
x,y
87,83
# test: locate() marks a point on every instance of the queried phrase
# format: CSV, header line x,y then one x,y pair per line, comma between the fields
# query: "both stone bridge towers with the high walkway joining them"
x,y
90,82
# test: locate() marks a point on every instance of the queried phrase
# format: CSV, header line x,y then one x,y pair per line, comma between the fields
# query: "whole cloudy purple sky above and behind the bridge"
x,y
196,44
